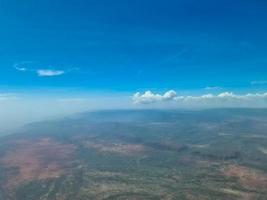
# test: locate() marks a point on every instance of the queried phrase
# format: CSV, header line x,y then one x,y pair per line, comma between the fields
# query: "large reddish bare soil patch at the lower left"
x,y
37,160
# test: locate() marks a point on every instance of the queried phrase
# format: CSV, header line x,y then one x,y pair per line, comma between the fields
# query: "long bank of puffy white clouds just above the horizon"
x,y
225,99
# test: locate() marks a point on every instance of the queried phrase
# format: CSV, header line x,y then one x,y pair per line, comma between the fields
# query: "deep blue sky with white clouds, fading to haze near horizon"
x,y
96,54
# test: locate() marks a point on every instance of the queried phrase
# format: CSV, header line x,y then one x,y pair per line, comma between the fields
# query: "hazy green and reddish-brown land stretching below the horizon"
x,y
139,154
